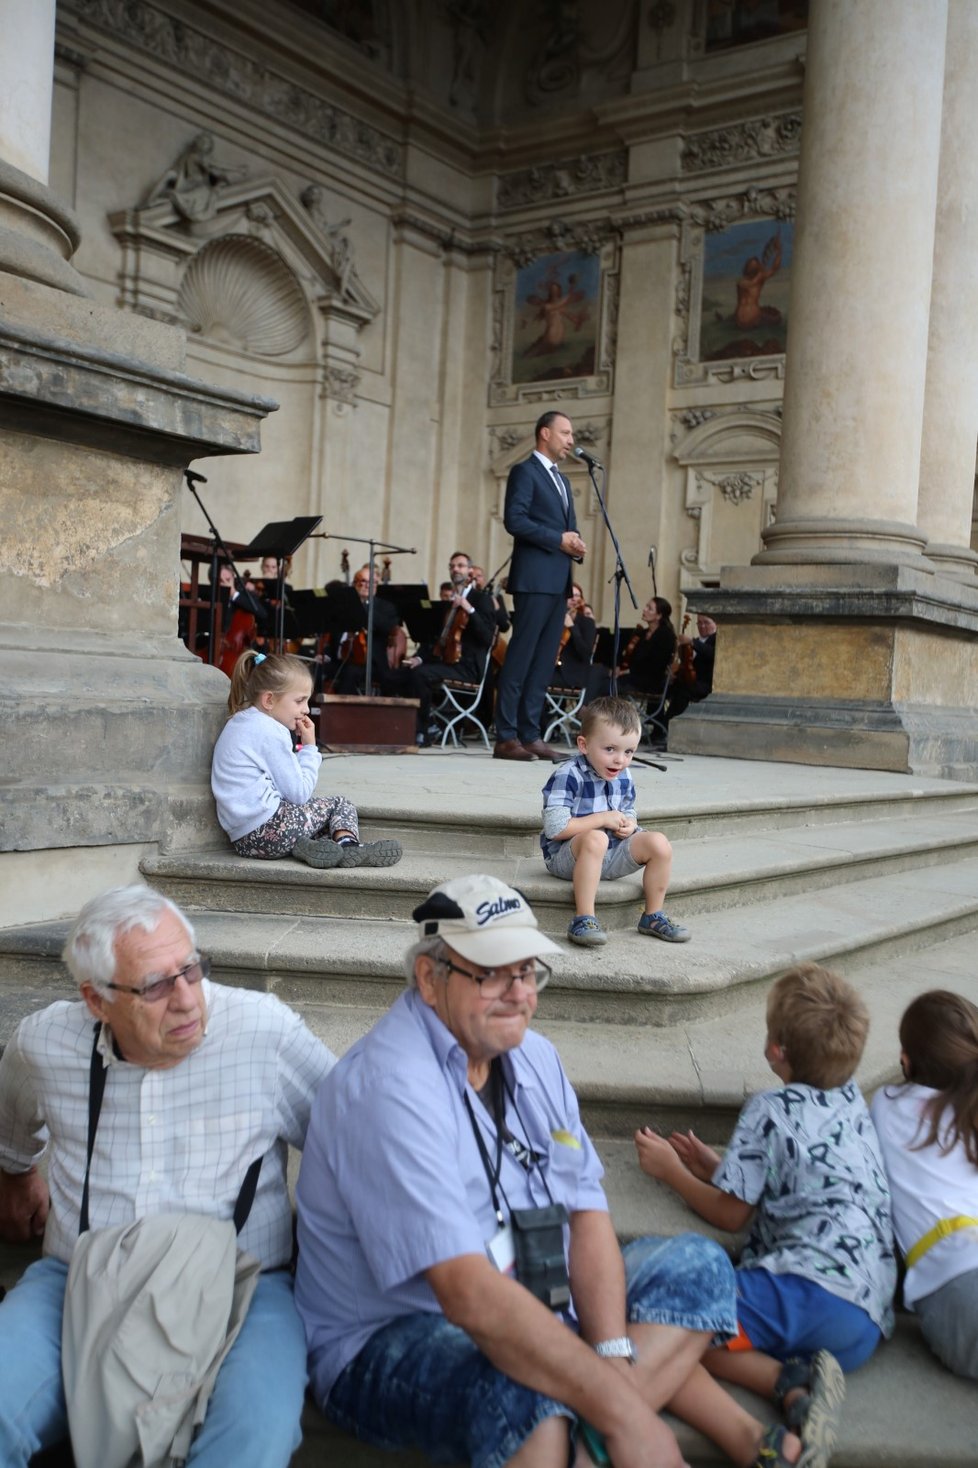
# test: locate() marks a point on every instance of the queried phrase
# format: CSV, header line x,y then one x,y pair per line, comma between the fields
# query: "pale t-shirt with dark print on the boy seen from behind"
x,y
810,1163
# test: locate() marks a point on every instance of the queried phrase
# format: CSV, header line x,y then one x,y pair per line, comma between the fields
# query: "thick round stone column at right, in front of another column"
x,y
861,278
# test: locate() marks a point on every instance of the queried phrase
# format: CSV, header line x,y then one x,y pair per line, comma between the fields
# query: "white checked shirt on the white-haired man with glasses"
x,y
178,1140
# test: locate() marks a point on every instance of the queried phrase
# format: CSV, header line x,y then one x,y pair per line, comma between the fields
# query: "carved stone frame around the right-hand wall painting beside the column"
x,y
704,218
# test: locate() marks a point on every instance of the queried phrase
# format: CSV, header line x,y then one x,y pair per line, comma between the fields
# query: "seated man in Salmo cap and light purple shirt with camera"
x,y
460,1281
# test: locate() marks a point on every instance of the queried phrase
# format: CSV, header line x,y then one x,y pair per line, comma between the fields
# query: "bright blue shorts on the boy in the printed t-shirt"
x,y
791,1316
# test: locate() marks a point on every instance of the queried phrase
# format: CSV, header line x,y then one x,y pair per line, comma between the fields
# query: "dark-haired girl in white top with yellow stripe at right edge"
x,y
929,1133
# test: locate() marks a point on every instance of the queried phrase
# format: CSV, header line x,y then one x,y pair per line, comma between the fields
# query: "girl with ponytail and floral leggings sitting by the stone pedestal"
x,y
265,771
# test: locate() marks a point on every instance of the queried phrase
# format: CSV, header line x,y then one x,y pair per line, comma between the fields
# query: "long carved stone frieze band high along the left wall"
x,y
237,76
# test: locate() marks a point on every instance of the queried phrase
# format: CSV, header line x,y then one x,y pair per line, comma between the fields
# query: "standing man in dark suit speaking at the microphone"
x,y
540,516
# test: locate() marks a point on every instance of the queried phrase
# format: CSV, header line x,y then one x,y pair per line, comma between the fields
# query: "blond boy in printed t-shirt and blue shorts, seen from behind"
x,y
804,1168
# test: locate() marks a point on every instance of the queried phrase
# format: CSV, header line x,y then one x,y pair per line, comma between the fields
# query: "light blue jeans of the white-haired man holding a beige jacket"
x,y
253,1417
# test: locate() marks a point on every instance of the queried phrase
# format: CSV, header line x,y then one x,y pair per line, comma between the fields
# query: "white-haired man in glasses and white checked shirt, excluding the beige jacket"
x,y
200,1087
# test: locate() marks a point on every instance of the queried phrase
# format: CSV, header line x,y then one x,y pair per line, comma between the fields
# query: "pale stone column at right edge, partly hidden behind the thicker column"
x,y
951,406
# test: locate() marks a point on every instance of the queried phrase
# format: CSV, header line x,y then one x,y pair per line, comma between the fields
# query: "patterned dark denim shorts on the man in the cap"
x,y
424,1384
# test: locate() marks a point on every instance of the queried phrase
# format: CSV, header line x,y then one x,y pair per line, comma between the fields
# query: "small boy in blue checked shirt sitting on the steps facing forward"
x,y
591,826
